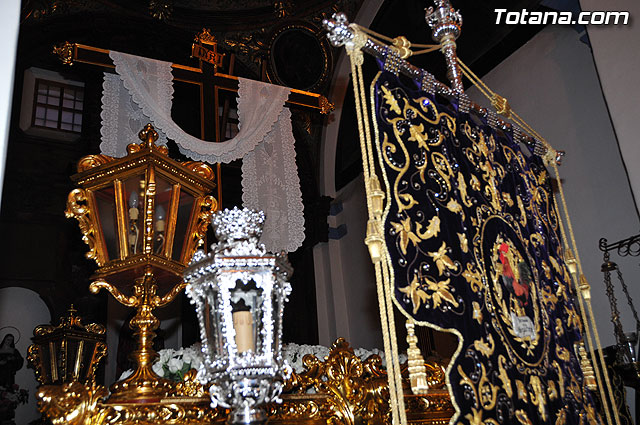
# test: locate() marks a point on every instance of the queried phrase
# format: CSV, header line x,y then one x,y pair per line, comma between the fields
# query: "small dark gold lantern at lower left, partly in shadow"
x,y
69,352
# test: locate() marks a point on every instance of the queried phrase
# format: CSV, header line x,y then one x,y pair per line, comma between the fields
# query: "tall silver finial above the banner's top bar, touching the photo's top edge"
x,y
446,24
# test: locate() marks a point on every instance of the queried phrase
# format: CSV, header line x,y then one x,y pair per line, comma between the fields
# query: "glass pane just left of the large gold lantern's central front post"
x,y
134,207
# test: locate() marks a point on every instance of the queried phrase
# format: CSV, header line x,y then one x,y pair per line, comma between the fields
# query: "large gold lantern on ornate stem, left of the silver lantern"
x,y
143,216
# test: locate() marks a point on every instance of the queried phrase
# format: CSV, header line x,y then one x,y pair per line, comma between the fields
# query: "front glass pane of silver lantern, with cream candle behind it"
x,y
246,307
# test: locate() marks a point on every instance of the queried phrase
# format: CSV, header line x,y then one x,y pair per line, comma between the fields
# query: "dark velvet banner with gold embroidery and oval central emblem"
x,y
474,241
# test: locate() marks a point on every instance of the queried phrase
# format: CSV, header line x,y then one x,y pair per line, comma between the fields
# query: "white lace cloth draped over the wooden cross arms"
x,y
141,92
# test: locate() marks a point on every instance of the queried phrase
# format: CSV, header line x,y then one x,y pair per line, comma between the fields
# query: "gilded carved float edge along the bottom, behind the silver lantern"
x,y
348,391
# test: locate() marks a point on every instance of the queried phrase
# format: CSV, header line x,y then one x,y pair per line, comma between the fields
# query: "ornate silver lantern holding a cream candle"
x,y
239,291
